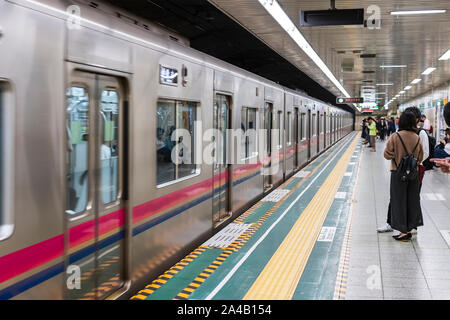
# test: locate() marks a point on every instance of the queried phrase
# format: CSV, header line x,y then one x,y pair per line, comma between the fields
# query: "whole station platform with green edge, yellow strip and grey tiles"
x,y
315,237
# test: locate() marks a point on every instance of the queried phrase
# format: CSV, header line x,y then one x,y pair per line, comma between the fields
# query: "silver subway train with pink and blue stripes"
x,y
92,207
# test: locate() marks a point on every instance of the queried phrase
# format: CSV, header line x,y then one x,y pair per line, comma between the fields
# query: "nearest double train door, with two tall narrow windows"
x,y
95,209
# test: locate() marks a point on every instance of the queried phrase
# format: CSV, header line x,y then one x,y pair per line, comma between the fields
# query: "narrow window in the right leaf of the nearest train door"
x,y
109,153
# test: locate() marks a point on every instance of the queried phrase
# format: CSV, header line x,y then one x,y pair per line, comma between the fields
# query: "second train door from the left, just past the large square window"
x,y
221,174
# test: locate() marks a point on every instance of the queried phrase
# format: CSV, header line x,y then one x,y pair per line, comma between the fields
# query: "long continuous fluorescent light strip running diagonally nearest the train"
x,y
274,9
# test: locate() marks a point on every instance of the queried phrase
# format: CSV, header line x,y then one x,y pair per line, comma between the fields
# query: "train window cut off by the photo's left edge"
x,y
6,163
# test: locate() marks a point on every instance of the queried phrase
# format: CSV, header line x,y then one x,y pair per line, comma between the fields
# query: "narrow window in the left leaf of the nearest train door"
x,y
77,126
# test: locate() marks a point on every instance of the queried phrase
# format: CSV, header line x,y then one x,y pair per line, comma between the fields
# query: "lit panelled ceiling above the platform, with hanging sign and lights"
x,y
415,41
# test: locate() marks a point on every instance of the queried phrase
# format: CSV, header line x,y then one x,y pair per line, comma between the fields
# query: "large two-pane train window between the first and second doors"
x,y
172,115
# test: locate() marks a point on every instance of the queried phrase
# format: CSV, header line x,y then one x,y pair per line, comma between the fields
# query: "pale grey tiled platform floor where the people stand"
x,y
381,268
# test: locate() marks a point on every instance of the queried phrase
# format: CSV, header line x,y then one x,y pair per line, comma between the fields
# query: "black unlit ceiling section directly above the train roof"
x,y
214,32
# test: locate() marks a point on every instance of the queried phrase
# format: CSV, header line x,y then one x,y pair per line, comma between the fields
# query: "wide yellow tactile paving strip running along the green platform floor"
x,y
280,277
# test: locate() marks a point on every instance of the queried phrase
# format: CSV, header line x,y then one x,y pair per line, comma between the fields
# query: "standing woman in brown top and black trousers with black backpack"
x,y
406,213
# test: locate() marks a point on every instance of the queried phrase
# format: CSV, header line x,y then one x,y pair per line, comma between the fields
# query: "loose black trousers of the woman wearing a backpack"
x,y
404,212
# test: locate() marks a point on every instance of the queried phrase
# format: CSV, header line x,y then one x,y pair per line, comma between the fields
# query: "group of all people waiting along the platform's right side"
x,y
412,150
